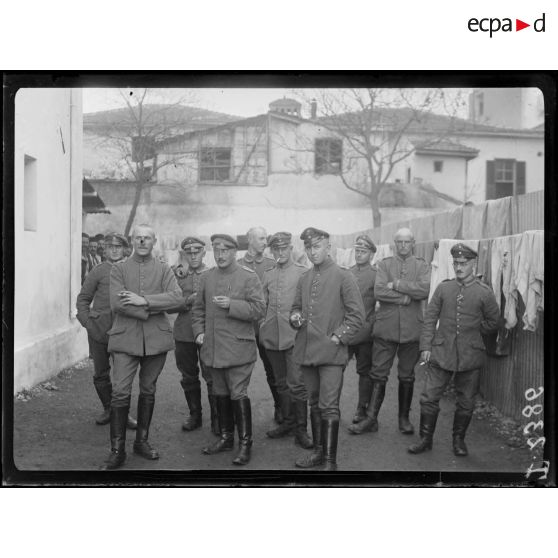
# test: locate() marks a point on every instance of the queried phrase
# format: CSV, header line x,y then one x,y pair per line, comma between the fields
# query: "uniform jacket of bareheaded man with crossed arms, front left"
x,y
138,330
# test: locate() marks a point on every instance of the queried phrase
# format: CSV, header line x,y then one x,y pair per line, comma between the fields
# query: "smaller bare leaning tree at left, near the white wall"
x,y
134,133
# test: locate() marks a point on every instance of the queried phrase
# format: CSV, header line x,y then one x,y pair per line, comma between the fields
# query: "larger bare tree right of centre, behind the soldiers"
x,y
380,128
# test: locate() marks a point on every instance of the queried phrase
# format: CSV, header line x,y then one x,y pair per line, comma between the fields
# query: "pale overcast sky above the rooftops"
x,y
238,102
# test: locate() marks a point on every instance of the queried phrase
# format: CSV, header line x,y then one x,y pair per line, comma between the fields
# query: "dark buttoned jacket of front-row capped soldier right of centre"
x,y
330,301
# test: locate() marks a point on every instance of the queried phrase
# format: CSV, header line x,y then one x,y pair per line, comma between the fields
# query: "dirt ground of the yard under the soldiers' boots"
x,y
54,429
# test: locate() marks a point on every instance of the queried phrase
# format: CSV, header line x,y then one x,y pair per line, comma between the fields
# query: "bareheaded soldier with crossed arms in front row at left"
x,y
142,289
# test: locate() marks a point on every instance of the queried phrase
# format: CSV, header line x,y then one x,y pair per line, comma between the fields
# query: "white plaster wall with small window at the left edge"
x,y
47,337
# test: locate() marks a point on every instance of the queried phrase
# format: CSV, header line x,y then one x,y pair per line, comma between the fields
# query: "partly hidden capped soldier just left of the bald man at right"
x,y
361,345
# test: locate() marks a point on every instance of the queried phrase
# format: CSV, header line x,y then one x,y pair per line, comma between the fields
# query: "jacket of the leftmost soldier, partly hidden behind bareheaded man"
x,y
98,318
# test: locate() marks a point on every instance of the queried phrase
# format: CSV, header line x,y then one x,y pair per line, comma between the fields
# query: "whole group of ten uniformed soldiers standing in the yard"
x,y
305,324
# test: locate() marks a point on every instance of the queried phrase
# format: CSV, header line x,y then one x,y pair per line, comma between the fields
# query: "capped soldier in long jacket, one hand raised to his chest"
x,y
229,301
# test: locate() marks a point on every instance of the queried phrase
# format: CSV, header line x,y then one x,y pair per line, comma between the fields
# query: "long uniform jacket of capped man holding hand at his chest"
x,y
229,333
